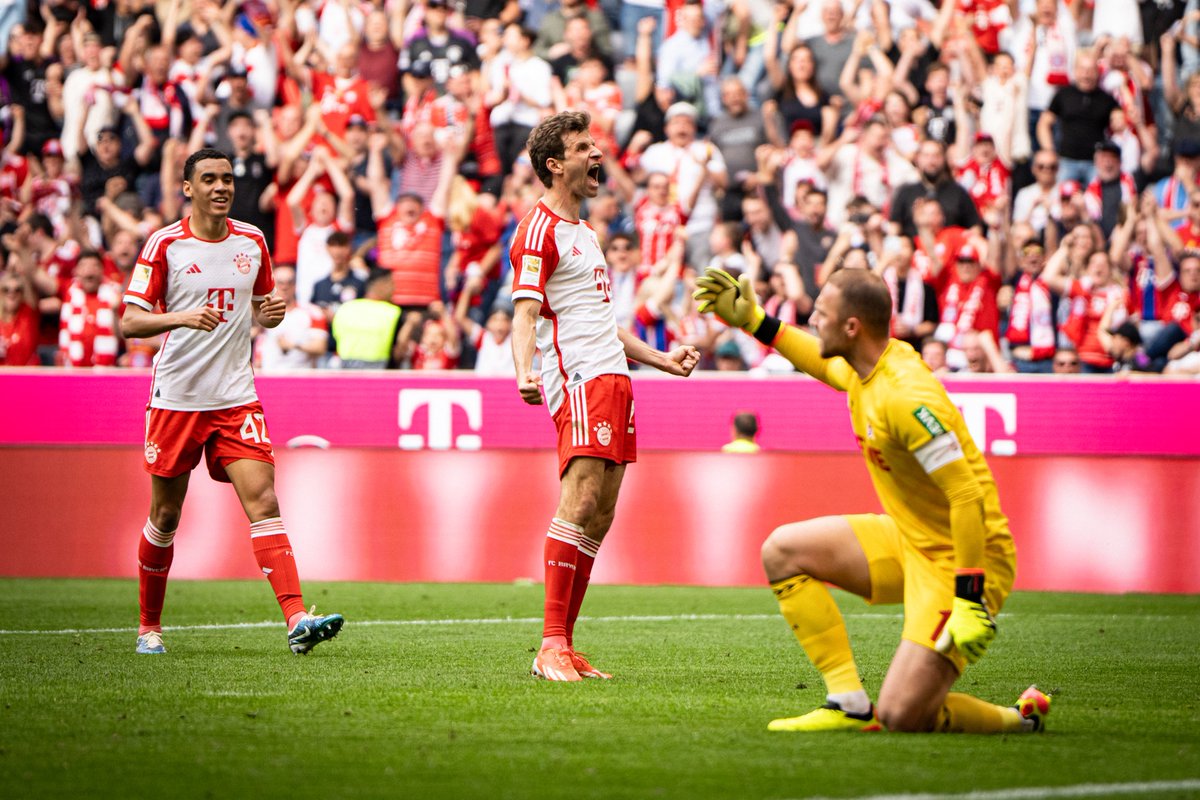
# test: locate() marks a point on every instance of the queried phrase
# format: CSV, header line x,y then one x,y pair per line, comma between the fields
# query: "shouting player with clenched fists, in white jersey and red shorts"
x,y
563,308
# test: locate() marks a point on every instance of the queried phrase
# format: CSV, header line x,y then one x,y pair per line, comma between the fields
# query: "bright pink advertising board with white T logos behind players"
x,y
1029,417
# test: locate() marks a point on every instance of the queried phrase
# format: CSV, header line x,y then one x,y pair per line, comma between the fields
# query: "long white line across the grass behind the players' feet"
x,y
521,621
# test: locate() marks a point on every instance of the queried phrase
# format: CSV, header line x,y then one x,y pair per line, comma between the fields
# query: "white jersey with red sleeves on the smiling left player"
x,y
199,371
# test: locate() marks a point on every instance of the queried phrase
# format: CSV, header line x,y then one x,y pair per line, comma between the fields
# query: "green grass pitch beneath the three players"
x,y
427,694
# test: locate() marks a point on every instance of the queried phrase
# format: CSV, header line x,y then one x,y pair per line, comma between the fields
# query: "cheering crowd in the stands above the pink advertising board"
x,y
1022,173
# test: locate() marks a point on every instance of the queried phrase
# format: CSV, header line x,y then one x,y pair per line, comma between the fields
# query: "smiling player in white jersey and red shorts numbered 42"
x,y
212,279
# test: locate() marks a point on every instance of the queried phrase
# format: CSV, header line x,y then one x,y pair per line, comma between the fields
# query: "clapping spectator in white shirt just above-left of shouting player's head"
x,y
519,93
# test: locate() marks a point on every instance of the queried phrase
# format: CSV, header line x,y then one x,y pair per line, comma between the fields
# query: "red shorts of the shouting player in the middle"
x,y
597,420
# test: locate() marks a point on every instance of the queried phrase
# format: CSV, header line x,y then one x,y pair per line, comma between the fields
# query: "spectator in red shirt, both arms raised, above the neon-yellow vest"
x,y
410,232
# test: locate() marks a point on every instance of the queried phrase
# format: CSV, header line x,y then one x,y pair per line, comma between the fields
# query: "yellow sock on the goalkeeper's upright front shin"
x,y
809,609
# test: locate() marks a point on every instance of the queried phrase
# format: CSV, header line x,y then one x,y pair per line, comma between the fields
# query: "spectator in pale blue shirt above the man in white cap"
x,y
688,62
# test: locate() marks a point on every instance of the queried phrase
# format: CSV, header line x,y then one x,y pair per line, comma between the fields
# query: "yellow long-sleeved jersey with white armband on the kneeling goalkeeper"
x,y
908,429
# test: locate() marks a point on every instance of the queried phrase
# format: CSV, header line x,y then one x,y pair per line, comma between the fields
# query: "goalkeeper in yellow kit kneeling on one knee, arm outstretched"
x,y
943,546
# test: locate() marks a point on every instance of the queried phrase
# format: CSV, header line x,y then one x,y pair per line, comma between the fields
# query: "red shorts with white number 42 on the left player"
x,y
176,440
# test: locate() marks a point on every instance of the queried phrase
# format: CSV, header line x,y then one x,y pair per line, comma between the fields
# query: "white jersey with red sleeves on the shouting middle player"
x,y
560,263
